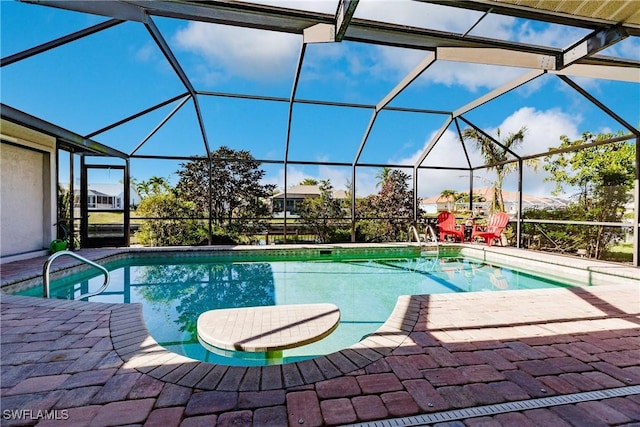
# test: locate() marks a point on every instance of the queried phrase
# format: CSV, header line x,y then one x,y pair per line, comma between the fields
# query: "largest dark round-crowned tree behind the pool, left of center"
x,y
236,189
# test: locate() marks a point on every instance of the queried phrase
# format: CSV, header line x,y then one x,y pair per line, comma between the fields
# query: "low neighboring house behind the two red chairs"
x,y
438,203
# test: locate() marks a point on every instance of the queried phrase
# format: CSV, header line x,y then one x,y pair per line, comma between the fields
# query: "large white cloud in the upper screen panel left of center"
x,y
255,54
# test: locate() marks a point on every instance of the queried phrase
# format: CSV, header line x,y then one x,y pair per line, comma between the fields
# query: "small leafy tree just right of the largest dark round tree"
x,y
322,213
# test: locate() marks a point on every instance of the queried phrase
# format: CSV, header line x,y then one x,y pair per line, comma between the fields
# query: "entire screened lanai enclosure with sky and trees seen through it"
x,y
183,122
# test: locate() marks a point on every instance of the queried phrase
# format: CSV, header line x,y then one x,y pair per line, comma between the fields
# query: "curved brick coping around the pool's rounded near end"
x,y
139,350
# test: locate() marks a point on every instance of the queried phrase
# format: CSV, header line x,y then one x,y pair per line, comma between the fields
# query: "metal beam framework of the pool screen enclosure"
x,y
606,23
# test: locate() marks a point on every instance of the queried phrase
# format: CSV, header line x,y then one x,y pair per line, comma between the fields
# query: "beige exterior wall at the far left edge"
x,y
27,192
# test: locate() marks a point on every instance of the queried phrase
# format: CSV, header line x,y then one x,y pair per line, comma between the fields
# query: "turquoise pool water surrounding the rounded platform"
x,y
175,291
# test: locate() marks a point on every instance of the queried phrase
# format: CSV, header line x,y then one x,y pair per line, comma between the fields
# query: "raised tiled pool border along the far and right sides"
x,y
581,271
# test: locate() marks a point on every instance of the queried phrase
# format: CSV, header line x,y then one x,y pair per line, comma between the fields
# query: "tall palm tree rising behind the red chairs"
x,y
494,155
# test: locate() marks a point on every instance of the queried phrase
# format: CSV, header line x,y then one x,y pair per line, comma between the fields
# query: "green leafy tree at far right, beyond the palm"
x,y
603,176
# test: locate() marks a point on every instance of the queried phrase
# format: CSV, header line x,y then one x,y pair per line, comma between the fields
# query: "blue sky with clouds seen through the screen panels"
x,y
88,84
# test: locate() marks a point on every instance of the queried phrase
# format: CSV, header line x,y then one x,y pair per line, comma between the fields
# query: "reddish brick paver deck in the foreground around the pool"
x,y
94,364
